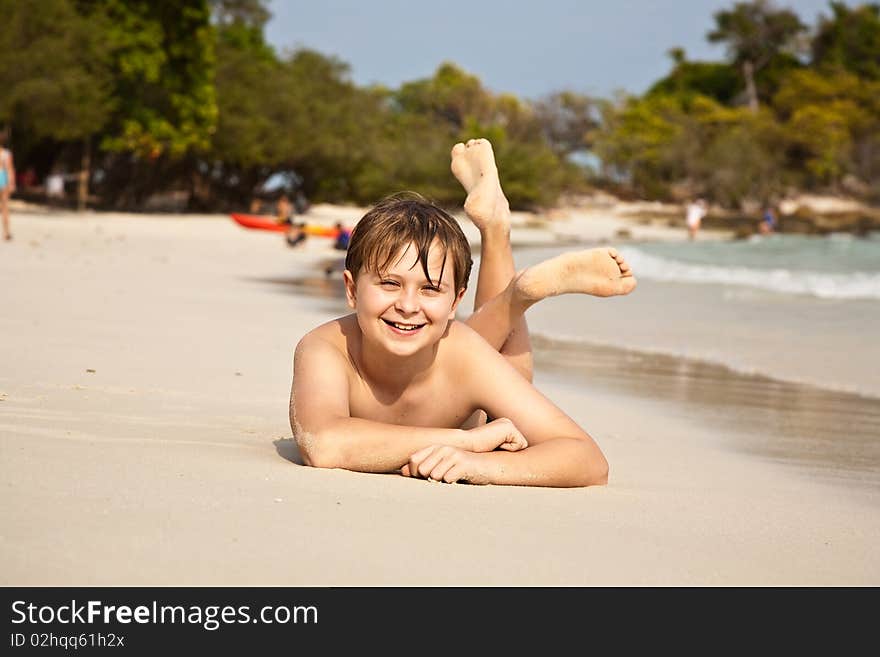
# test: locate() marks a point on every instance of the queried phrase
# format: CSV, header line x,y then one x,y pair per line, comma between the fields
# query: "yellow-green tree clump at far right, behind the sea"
x,y
819,127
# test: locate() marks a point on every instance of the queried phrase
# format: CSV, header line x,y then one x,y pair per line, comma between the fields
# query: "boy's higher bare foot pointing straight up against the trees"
x,y
473,164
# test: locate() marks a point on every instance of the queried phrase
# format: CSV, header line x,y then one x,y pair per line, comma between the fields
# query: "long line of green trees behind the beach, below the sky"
x,y
158,96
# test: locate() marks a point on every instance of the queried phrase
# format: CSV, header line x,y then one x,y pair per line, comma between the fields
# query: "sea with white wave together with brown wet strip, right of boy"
x,y
771,343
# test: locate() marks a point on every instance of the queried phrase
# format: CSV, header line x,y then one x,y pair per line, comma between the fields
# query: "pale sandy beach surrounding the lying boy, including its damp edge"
x,y
145,369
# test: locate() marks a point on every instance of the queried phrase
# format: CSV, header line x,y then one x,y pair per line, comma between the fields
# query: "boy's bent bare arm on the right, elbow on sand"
x,y
560,452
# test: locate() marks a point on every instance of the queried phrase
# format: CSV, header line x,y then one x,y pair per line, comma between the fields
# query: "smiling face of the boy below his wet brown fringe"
x,y
400,309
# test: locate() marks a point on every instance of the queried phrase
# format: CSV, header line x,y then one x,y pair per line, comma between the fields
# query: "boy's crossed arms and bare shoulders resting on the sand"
x,y
425,439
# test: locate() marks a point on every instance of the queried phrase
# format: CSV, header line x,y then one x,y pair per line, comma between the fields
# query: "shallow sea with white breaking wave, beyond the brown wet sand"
x,y
795,308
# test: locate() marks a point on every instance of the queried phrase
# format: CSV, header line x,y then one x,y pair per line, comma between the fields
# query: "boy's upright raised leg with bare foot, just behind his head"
x,y
474,166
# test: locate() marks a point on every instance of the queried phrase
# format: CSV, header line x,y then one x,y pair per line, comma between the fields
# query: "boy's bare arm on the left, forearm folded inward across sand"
x,y
327,435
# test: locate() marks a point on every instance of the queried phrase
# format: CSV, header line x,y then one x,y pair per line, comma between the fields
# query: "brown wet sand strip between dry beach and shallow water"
x,y
823,434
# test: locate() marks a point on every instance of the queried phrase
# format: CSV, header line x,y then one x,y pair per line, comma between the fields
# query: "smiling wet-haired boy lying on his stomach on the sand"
x,y
398,385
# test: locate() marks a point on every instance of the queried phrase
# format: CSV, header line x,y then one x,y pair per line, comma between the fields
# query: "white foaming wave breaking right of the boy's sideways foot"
x,y
824,285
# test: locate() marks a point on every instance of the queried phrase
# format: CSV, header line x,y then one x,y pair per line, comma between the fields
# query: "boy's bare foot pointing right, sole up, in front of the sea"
x,y
602,272
